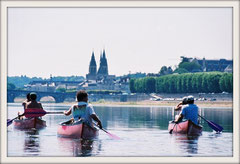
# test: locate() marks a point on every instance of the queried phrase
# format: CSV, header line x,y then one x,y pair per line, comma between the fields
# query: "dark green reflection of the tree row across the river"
x,y
152,117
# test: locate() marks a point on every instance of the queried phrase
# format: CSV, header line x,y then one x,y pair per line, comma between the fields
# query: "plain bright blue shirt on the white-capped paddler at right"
x,y
190,112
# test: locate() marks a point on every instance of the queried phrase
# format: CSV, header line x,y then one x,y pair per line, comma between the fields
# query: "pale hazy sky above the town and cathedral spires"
x,y
60,41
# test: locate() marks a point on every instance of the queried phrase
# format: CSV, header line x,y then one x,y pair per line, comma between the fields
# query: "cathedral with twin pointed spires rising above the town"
x,y
102,72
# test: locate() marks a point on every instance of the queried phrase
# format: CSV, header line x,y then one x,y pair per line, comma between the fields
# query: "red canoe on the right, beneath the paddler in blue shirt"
x,y
185,127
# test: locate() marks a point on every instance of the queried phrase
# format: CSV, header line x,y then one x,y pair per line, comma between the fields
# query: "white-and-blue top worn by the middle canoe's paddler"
x,y
84,111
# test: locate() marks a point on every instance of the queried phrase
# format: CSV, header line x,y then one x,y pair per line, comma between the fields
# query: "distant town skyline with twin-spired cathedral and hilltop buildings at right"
x,y
99,79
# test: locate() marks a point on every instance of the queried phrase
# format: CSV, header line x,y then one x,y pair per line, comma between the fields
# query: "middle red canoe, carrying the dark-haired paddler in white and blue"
x,y
77,130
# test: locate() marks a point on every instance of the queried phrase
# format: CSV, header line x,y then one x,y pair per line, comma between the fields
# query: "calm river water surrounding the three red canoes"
x,y
142,131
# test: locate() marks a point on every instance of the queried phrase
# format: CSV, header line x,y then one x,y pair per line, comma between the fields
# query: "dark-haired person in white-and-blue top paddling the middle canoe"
x,y
83,110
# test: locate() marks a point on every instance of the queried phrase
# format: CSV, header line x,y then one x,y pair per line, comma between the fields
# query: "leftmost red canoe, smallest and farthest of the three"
x,y
29,123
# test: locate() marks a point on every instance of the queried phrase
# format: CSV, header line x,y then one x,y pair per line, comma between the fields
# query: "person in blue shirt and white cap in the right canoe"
x,y
189,111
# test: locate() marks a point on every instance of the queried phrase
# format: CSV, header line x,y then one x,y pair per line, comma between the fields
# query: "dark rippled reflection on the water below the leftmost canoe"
x,y
31,142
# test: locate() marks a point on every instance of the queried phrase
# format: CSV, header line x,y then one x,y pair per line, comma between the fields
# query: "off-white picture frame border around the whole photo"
x,y
5,4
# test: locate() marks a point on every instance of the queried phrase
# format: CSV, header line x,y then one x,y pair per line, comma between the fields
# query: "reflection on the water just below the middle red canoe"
x,y
79,147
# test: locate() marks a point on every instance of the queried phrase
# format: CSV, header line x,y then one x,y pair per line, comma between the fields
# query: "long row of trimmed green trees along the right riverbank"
x,y
203,82
